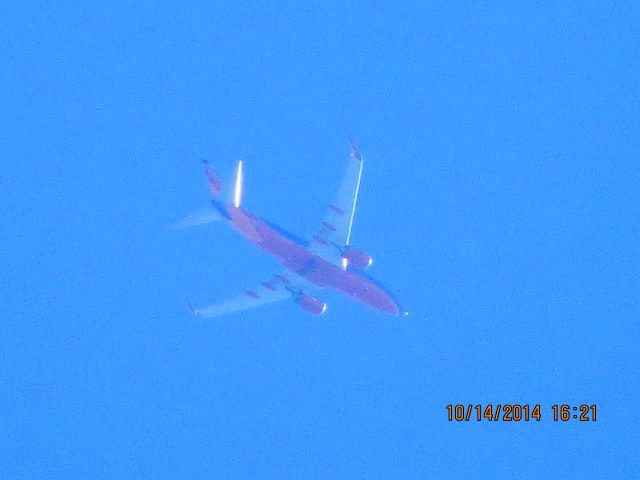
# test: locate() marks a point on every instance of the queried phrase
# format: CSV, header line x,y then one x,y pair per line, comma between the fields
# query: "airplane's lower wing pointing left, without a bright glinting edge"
x,y
282,286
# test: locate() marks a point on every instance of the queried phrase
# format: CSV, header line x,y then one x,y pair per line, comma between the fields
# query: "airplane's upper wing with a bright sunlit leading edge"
x,y
335,233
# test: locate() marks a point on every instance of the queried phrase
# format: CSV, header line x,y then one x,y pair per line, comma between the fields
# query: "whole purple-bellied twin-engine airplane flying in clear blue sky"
x,y
326,261
